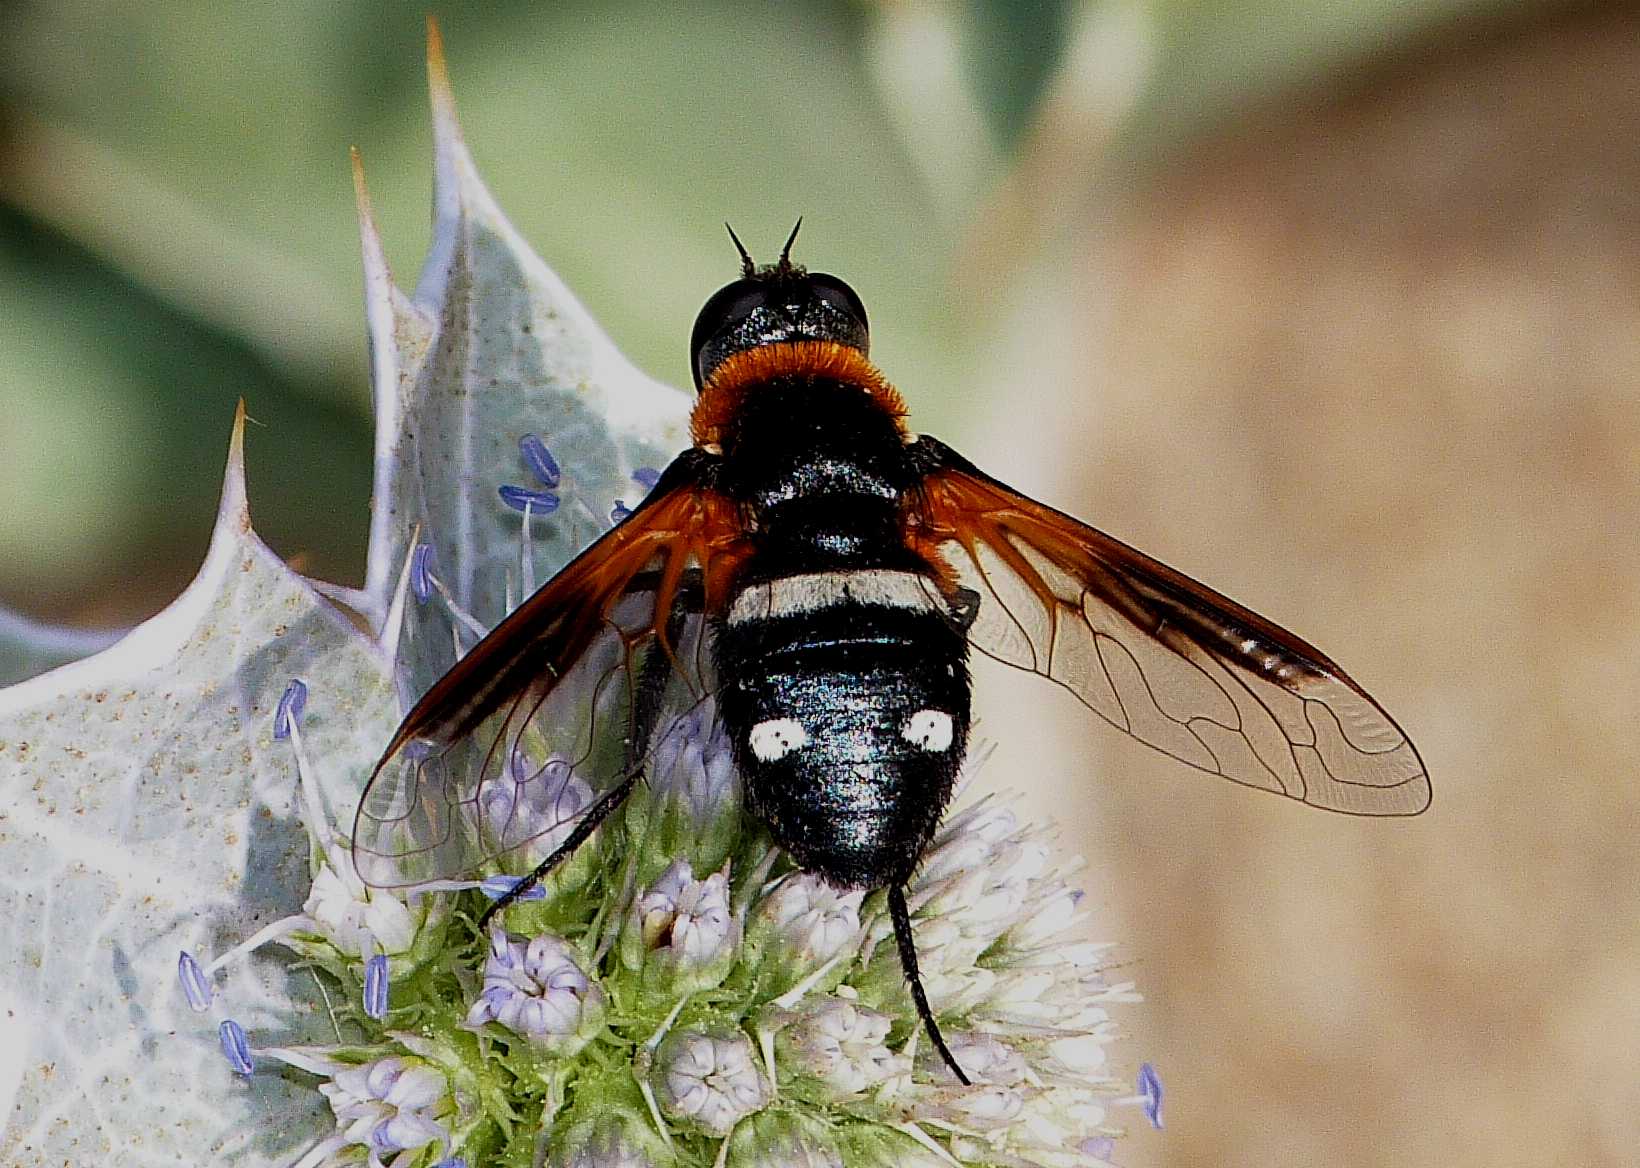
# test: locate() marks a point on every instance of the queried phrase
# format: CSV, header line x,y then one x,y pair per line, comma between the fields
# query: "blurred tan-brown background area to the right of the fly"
x,y
1370,358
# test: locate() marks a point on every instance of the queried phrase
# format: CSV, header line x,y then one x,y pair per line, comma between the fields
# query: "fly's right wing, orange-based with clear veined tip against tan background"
x,y
1159,655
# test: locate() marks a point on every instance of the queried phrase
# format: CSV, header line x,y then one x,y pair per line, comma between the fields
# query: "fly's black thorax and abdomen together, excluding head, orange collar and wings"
x,y
845,680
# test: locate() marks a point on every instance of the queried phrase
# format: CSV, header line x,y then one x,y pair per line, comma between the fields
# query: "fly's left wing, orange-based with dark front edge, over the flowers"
x,y
506,752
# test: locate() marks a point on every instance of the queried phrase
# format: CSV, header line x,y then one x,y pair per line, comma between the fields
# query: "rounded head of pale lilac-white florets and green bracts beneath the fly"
x,y
749,1000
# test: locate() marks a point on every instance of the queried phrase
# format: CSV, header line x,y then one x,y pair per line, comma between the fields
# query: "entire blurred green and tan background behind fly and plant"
x,y
1334,308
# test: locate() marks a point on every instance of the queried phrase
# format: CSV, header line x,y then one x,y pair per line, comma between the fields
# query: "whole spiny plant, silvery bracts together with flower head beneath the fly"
x,y
180,883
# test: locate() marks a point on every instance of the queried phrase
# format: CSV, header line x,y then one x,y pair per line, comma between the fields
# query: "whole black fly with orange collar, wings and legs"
x,y
824,573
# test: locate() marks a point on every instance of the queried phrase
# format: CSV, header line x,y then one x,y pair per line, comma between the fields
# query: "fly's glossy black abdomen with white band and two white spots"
x,y
849,706
